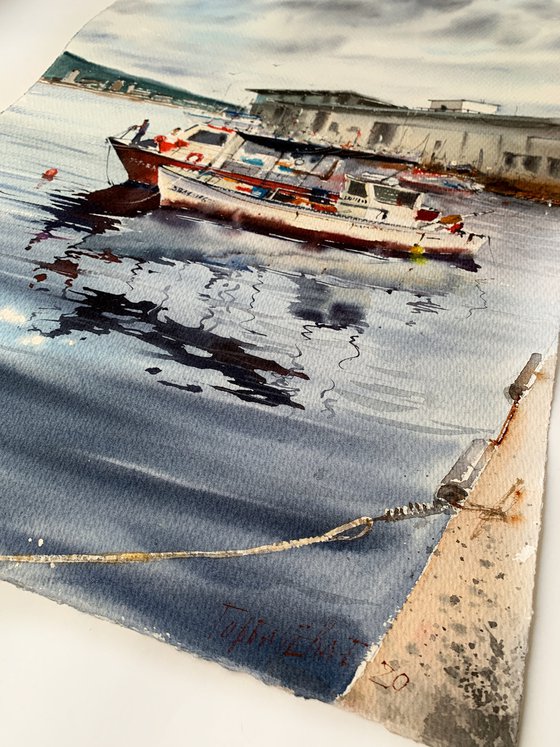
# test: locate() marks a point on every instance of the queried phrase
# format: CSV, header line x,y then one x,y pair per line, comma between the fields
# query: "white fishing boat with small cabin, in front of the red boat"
x,y
365,214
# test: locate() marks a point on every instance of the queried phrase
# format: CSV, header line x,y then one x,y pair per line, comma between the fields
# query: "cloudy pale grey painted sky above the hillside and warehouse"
x,y
405,51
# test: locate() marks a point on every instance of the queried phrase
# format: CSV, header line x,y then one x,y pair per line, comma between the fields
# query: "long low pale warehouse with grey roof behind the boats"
x,y
510,148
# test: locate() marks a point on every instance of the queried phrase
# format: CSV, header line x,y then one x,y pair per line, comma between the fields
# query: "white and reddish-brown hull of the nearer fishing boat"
x,y
306,224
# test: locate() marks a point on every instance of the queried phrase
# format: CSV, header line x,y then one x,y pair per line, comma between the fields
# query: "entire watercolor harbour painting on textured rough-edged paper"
x,y
278,323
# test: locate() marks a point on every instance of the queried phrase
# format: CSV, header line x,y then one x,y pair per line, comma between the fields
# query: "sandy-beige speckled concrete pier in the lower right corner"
x,y
450,670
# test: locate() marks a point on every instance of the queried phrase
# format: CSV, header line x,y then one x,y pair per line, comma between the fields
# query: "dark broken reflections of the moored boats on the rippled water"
x,y
100,312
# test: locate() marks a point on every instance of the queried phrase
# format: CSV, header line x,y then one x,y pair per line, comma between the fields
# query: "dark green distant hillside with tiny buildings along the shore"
x,y
74,70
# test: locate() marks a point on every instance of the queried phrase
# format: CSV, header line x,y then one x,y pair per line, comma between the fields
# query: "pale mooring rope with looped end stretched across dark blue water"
x,y
343,533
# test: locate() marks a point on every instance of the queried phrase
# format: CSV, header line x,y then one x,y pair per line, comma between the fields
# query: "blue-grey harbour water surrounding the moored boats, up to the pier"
x,y
170,383
